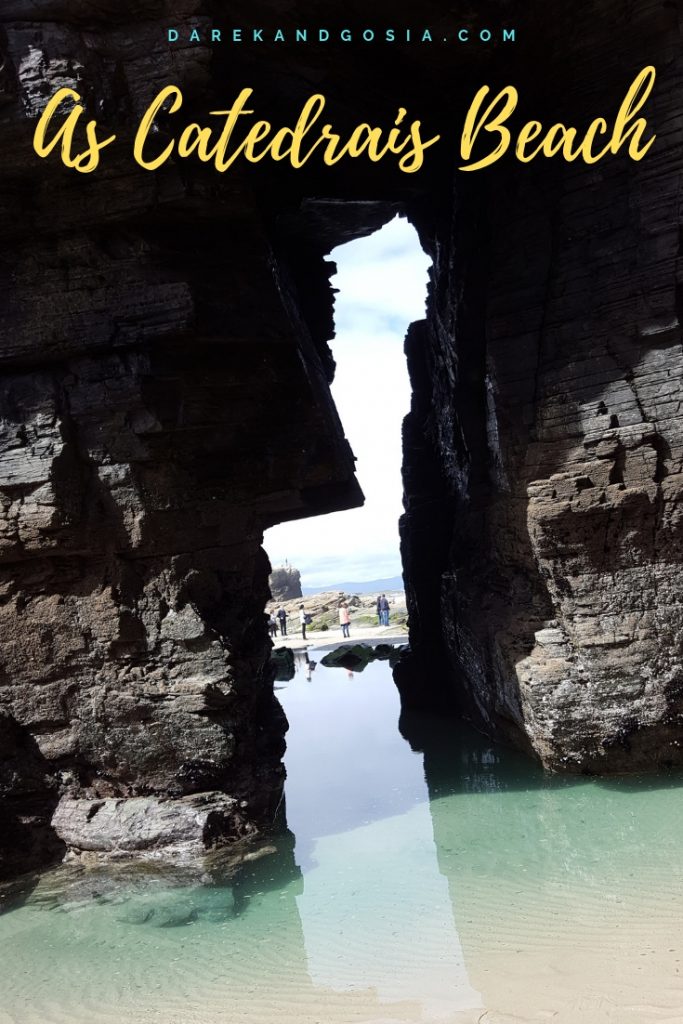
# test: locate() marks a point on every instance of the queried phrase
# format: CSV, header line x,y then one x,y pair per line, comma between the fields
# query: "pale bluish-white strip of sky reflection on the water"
x,y
375,908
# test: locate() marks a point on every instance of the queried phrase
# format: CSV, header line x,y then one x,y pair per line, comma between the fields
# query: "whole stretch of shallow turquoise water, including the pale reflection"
x,y
448,883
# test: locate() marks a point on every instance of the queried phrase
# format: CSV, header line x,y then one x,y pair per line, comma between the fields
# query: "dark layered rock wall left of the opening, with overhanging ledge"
x,y
162,403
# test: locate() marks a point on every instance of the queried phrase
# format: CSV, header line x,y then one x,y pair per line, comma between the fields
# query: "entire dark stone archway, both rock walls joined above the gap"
x,y
165,399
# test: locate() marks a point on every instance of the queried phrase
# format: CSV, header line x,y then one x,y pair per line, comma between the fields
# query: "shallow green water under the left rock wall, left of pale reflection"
x,y
161,942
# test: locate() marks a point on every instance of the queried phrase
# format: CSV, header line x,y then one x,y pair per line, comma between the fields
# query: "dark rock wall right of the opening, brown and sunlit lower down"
x,y
543,455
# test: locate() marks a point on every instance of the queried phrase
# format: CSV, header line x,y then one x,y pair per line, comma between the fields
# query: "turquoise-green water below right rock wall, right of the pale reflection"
x,y
558,883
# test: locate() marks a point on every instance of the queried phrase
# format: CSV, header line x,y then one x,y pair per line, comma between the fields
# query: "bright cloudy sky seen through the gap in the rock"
x,y
382,282
